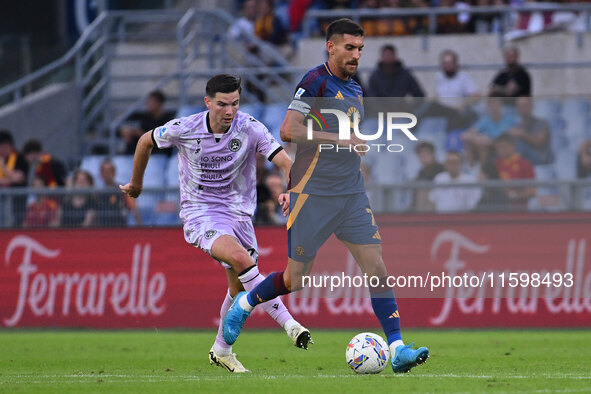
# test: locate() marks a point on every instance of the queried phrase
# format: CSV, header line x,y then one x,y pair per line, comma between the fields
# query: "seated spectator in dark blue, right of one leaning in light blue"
x,y
532,134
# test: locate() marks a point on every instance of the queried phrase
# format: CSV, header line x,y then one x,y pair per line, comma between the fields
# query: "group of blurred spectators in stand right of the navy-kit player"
x,y
501,139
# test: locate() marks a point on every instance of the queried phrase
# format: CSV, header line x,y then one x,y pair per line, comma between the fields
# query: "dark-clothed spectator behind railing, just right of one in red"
x,y
79,210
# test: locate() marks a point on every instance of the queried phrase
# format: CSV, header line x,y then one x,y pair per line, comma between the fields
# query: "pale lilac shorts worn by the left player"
x,y
204,233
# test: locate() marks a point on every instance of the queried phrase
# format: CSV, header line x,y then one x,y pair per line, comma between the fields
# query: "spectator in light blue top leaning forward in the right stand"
x,y
478,140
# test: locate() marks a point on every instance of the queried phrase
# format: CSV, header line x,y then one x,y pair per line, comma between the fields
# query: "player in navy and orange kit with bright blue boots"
x,y
327,194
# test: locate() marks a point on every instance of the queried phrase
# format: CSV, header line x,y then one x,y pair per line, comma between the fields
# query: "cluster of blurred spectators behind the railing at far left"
x,y
36,169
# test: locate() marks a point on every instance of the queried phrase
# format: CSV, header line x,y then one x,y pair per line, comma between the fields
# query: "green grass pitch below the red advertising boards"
x,y
176,361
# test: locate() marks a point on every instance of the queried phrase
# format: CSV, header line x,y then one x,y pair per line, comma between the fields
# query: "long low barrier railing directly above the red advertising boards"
x,y
159,206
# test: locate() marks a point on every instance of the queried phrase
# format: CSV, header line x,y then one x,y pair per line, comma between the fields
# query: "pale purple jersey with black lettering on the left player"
x,y
217,177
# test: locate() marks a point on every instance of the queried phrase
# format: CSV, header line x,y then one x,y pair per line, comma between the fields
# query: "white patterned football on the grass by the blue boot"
x,y
367,353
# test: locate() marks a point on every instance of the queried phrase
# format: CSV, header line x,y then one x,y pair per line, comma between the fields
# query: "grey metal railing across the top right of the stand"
x,y
505,13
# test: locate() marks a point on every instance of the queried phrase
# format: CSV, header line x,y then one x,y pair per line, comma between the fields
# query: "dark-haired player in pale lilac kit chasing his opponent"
x,y
217,173
